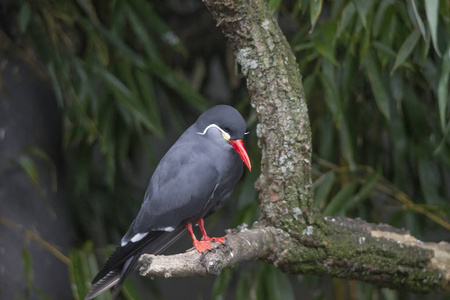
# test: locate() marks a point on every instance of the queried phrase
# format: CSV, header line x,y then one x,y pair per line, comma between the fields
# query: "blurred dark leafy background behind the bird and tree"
x,y
93,93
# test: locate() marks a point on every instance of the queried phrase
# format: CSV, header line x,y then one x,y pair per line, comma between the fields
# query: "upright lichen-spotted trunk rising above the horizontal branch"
x,y
275,86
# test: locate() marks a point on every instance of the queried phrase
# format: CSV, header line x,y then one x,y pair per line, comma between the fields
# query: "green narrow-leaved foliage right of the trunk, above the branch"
x,y
385,93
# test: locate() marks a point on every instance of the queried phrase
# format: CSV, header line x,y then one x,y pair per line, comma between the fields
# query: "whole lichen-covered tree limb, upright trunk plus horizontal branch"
x,y
290,234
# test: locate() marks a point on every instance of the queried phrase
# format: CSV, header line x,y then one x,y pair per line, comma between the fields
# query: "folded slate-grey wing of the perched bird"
x,y
181,188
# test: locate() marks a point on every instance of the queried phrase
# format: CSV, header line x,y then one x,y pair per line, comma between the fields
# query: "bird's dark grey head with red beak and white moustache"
x,y
229,122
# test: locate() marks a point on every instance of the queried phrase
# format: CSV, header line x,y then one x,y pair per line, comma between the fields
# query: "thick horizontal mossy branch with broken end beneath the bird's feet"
x,y
346,248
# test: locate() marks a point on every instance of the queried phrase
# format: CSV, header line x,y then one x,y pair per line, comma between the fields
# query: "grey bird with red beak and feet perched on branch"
x,y
193,180
